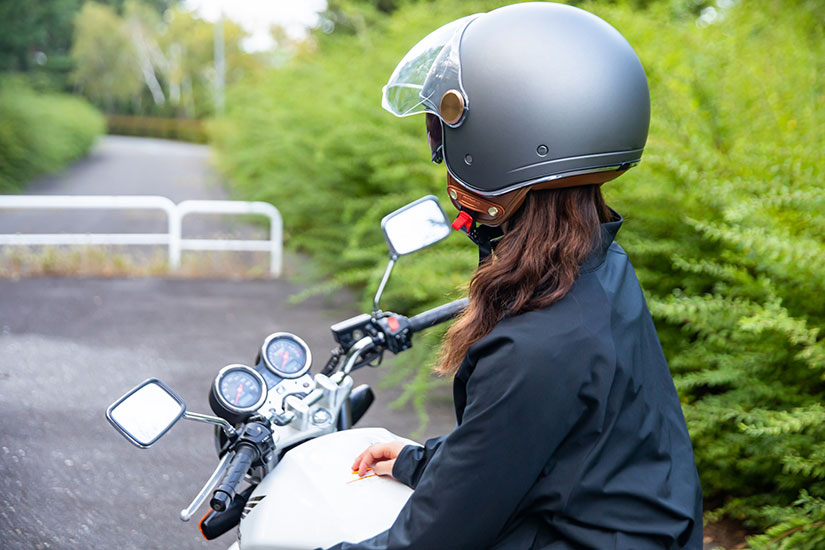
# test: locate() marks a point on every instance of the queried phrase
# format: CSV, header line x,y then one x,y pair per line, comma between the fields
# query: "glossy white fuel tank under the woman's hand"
x,y
313,499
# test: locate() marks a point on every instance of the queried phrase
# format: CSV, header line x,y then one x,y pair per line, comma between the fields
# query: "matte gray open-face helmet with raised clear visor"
x,y
527,94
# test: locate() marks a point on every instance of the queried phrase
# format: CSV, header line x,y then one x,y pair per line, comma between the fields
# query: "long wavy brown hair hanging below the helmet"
x,y
535,264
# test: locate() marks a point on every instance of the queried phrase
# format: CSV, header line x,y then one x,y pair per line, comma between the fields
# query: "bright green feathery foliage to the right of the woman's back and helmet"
x,y
735,282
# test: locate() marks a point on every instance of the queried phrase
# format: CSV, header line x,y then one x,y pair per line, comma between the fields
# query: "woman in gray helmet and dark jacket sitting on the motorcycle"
x,y
570,434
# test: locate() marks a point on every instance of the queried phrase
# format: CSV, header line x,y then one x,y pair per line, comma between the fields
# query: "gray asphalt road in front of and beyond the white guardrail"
x,y
69,347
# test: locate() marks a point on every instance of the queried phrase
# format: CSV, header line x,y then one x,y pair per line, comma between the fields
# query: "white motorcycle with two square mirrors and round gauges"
x,y
283,434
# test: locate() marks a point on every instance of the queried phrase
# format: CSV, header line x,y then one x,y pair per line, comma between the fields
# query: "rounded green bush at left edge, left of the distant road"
x,y
41,132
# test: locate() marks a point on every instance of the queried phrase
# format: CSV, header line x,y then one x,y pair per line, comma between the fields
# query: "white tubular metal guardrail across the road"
x,y
172,238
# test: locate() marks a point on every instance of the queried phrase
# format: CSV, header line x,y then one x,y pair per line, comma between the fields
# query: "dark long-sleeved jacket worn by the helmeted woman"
x,y
570,434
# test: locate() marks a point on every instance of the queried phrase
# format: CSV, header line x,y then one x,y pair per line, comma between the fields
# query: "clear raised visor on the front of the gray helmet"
x,y
429,69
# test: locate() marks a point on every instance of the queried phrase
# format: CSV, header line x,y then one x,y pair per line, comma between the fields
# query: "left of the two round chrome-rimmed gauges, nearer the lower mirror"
x,y
237,392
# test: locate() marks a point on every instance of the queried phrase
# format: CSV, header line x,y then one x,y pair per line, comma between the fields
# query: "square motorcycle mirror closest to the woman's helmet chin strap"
x,y
415,226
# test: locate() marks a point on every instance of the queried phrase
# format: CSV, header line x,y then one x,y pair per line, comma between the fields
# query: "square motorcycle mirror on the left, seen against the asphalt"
x,y
146,412
